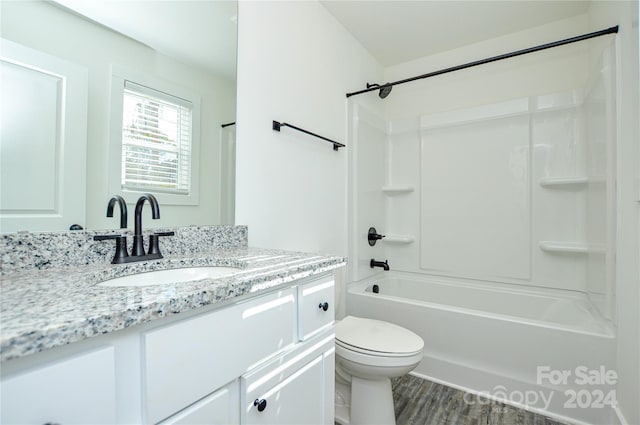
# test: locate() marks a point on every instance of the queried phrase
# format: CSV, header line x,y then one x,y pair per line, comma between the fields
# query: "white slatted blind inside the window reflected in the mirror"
x,y
156,140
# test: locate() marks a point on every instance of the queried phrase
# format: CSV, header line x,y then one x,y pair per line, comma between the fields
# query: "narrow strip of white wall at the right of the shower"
x,y
626,15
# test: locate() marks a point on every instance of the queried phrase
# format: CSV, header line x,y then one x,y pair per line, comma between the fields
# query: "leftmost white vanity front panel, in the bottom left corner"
x,y
78,390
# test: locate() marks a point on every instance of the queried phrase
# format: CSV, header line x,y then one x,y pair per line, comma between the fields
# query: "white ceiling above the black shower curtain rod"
x,y
397,31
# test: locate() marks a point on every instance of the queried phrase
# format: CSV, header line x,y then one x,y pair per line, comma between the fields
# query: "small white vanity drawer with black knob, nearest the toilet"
x,y
316,308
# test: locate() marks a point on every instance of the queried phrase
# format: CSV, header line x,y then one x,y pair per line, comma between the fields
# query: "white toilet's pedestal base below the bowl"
x,y
364,402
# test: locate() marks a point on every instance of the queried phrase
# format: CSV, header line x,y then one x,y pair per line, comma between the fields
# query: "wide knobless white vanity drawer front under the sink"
x,y
186,361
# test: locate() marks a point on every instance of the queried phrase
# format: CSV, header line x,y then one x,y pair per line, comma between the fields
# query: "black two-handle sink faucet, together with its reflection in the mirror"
x,y
137,251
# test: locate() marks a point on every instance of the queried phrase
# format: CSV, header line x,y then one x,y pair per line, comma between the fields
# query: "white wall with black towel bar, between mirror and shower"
x,y
295,65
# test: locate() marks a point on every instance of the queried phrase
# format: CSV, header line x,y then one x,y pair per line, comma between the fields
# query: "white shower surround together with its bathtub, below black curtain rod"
x,y
492,202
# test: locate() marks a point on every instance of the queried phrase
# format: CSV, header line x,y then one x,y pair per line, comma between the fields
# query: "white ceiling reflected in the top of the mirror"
x,y
198,32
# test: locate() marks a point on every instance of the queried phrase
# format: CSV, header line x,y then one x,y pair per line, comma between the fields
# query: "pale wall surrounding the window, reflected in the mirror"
x,y
44,27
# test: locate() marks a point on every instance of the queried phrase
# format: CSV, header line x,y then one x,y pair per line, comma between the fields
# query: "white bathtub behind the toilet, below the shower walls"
x,y
539,349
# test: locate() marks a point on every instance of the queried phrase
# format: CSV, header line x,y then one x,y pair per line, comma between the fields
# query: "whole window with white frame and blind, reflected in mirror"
x,y
154,139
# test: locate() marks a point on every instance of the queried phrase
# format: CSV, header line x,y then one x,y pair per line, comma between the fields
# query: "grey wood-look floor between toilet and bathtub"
x,y
421,402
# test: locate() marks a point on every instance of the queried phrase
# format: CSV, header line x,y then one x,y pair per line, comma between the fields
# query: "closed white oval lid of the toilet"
x,y
377,336
